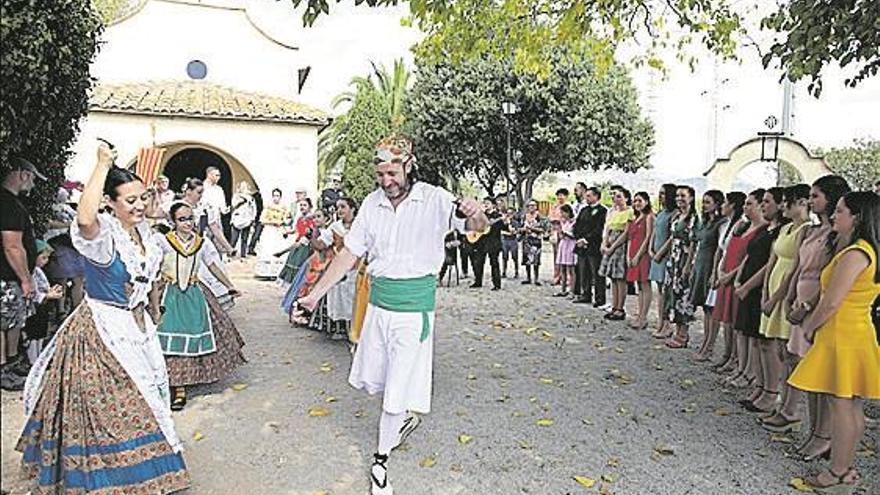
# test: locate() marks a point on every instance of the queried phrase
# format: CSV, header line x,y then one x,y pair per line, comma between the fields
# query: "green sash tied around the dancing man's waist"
x,y
406,295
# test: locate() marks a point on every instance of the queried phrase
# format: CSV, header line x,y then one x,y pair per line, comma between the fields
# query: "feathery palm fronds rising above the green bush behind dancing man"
x,y
391,88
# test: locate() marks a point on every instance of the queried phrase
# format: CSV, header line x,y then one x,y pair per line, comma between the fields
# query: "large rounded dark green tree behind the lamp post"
x,y
574,119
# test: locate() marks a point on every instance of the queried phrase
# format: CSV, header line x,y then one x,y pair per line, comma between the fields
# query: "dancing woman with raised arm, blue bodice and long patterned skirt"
x,y
97,397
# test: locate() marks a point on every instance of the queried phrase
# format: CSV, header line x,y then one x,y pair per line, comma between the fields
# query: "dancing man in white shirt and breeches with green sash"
x,y
401,225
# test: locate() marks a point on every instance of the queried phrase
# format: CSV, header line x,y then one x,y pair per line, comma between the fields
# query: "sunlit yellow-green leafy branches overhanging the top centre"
x,y
533,30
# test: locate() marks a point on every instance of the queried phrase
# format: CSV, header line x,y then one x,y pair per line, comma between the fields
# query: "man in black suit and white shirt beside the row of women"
x,y
588,229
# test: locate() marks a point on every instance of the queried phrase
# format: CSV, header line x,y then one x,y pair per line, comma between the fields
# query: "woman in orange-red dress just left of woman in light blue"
x,y
637,260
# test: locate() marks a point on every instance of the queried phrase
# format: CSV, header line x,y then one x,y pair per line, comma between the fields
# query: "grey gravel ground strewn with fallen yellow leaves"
x,y
616,407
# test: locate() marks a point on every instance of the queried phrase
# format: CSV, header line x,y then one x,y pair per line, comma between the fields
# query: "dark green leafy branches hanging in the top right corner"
x,y
815,34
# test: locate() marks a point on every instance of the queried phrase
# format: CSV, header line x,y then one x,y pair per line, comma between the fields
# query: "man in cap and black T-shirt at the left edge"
x,y
16,268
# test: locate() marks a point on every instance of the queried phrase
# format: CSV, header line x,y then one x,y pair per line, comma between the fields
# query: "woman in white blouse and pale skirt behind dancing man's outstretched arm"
x,y
333,314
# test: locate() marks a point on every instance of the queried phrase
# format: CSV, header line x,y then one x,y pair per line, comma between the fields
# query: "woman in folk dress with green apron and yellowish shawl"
x,y
199,340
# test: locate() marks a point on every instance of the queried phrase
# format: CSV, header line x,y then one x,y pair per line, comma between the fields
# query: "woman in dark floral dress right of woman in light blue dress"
x,y
679,264
